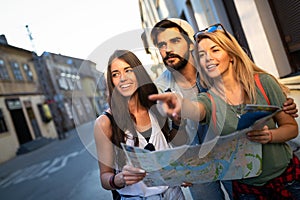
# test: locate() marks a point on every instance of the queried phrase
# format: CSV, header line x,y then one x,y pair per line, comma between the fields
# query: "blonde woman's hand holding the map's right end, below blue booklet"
x,y
261,136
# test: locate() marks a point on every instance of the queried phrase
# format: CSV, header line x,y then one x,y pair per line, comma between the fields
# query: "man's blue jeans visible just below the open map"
x,y
211,190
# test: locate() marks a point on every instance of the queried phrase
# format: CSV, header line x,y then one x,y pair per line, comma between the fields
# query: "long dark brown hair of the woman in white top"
x,y
119,104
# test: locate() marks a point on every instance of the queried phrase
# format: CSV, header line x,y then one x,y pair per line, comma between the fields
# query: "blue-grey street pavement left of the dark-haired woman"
x,y
63,169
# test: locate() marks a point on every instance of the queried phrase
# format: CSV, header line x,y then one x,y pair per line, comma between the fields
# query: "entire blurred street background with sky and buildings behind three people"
x,y
53,57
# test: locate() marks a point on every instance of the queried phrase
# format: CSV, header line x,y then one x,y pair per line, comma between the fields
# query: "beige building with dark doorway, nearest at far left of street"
x,y
24,113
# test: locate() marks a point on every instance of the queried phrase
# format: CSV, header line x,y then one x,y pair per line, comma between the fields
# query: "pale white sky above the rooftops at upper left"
x,y
73,28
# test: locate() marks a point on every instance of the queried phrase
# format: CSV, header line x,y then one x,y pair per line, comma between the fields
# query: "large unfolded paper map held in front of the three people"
x,y
232,157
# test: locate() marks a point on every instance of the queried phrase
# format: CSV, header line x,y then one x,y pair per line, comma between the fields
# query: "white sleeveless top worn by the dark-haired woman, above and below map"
x,y
159,141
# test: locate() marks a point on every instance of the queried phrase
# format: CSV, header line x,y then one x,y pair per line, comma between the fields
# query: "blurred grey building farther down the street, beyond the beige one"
x,y
70,85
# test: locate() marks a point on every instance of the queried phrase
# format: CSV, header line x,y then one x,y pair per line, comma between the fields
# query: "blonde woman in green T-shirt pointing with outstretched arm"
x,y
228,73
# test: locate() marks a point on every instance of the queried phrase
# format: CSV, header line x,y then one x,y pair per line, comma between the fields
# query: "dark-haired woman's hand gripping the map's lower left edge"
x,y
132,174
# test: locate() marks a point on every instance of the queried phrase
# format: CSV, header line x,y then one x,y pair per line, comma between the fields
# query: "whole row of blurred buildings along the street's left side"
x,y
43,97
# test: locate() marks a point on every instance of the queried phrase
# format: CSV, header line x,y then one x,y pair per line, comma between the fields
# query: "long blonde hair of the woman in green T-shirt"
x,y
242,64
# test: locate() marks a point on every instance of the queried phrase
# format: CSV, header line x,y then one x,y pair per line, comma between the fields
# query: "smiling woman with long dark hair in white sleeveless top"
x,y
134,120
